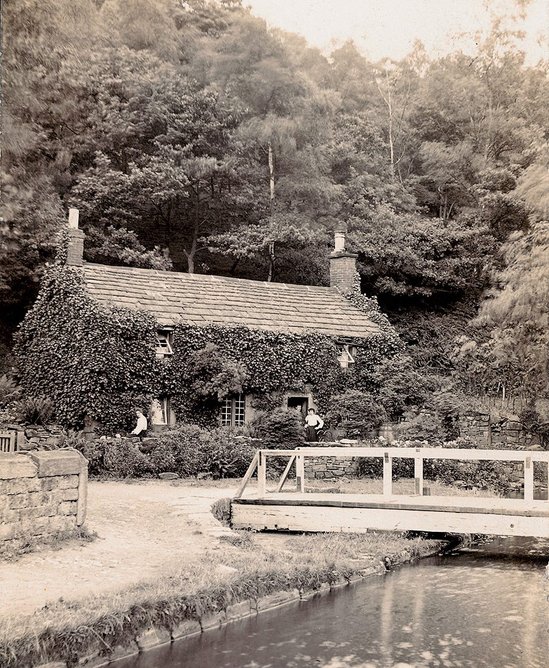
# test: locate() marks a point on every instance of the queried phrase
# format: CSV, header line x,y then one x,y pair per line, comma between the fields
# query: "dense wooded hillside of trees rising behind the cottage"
x,y
193,135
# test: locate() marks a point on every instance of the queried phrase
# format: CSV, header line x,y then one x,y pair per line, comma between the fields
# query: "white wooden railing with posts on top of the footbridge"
x,y
298,457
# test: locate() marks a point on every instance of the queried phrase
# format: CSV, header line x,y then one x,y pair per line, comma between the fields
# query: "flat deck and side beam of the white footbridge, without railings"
x,y
360,513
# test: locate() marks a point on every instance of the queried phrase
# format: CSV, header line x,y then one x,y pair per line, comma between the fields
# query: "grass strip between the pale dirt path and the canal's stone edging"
x,y
264,564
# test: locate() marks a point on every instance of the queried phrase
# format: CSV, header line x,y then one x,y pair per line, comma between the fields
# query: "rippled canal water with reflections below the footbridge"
x,y
486,606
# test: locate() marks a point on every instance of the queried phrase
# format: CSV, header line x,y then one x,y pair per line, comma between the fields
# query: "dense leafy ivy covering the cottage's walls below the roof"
x,y
100,363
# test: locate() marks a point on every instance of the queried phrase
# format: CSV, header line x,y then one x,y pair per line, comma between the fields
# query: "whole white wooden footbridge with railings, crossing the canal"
x,y
276,509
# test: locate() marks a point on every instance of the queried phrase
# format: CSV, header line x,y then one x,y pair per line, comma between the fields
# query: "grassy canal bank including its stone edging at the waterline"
x,y
160,619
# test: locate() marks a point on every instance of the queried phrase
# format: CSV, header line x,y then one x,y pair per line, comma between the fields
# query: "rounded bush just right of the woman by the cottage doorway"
x,y
359,413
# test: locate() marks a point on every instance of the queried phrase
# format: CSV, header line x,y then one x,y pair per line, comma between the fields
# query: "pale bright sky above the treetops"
x,y
388,28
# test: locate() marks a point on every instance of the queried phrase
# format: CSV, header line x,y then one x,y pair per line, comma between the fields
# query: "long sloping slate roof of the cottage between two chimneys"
x,y
200,299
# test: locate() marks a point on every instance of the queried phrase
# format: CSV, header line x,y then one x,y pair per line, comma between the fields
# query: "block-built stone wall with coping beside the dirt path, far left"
x,y
41,494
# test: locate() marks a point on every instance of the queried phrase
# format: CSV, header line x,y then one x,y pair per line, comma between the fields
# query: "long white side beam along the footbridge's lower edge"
x,y
307,518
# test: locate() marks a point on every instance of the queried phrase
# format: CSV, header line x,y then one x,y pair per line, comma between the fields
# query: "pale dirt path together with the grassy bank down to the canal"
x,y
152,525
